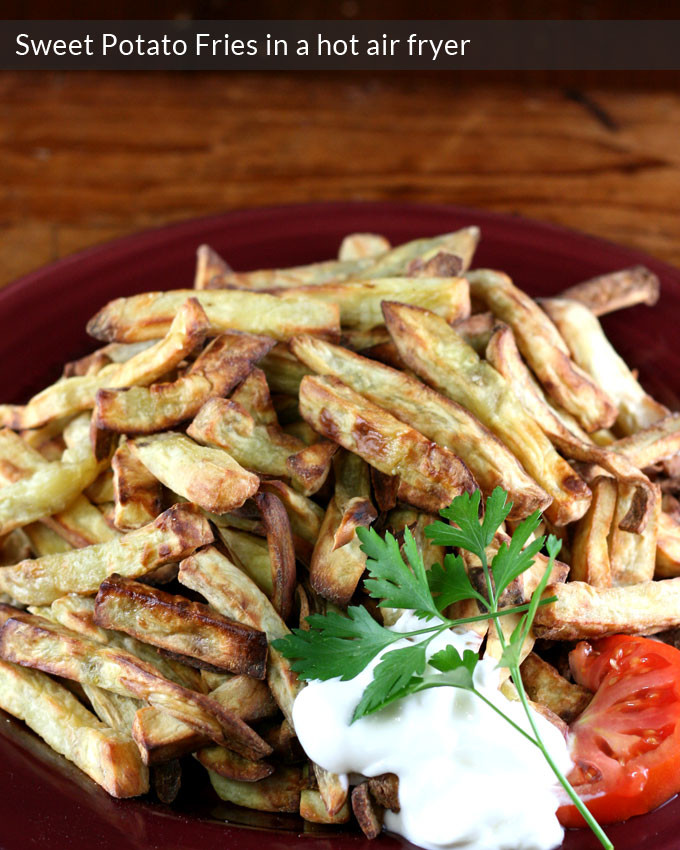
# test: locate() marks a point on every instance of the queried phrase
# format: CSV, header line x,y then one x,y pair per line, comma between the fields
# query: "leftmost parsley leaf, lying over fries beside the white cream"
x,y
335,646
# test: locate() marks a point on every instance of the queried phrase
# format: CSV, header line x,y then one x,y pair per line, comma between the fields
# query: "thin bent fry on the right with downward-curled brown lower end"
x,y
502,353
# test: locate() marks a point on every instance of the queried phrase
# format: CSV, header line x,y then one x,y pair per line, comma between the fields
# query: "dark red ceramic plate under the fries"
x,y
44,801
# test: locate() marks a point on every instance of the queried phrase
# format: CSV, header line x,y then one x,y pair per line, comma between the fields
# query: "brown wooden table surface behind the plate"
x,y
86,157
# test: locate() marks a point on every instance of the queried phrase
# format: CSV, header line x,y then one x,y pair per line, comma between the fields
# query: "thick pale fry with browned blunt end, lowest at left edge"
x,y
108,757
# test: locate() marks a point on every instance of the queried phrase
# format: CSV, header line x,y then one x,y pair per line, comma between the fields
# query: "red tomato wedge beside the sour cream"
x,y
626,744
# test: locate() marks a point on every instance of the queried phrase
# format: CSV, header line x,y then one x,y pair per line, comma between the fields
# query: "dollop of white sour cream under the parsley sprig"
x,y
466,777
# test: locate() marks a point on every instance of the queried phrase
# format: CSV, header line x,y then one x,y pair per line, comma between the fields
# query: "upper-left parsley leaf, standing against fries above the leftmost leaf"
x,y
391,580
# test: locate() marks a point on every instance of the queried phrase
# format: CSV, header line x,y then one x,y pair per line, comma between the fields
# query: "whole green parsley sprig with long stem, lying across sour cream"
x,y
338,646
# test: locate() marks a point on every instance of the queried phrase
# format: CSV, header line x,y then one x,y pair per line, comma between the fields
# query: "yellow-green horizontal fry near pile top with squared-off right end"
x,y
359,300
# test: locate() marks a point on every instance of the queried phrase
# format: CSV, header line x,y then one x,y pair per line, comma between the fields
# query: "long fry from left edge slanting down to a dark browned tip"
x,y
54,649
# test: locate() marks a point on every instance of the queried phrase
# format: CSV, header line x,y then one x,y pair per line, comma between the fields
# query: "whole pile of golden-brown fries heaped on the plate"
x,y
188,492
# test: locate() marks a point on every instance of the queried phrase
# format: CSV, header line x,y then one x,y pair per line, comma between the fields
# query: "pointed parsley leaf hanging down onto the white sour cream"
x,y
398,674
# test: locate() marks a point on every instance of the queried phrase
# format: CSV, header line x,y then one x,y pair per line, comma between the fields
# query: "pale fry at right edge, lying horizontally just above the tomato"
x,y
583,612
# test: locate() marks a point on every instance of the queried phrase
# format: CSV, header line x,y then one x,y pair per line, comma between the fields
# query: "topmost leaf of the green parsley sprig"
x,y
471,534
